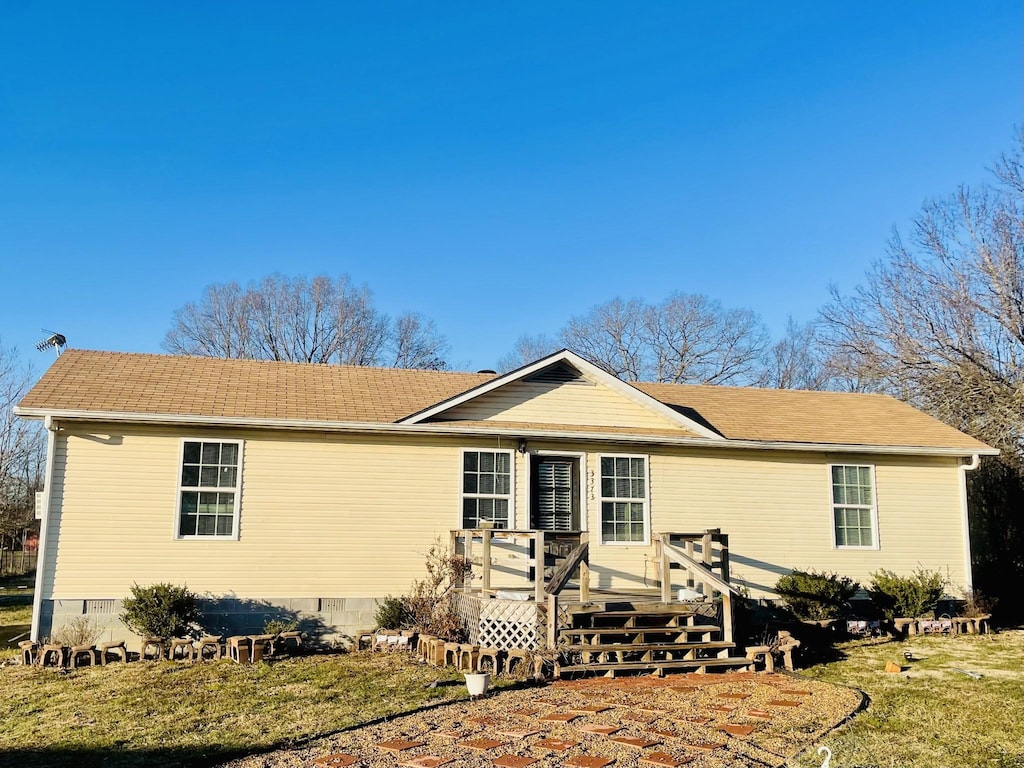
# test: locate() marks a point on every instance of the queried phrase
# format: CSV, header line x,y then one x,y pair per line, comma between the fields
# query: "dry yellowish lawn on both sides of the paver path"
x,y
164,715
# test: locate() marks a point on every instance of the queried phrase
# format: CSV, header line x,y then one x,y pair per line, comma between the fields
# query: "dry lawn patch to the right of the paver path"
x,y
931,713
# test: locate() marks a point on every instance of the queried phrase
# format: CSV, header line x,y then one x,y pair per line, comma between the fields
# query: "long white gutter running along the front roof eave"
x,y
453,429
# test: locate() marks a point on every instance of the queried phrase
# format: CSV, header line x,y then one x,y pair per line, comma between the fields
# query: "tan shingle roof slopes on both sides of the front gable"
x,y
152,385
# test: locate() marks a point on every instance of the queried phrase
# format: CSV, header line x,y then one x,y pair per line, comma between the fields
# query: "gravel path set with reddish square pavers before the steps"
x,y
703,721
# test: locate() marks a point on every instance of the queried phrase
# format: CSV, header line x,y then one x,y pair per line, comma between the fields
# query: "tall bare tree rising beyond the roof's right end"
x,y
941,322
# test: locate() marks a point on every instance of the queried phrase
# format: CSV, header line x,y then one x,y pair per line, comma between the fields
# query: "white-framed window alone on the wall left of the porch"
x,y
209,490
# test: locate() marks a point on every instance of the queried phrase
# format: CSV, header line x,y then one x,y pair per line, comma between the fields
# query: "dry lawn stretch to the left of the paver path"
x,y
168,714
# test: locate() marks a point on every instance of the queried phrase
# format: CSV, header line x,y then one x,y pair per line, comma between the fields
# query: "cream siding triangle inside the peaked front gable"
x,y
591,405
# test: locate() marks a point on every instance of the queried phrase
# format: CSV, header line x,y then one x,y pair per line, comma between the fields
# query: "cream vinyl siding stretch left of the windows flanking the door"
x,y
325,518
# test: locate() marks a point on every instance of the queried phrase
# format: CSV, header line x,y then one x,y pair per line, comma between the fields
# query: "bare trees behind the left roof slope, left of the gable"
x,y
309,321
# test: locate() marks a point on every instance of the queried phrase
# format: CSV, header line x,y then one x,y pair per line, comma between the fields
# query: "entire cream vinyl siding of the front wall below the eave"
x,y
335,517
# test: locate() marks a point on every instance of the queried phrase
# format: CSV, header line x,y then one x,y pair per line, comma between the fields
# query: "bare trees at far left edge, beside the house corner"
x,y
22,453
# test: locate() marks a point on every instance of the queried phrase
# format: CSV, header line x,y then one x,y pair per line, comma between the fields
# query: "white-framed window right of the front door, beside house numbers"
x,y
625,500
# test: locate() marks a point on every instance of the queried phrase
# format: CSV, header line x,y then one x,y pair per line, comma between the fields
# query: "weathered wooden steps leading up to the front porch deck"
x,y
653,639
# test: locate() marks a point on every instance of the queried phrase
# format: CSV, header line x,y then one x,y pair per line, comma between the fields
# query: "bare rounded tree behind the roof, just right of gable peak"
x,y
688,338
